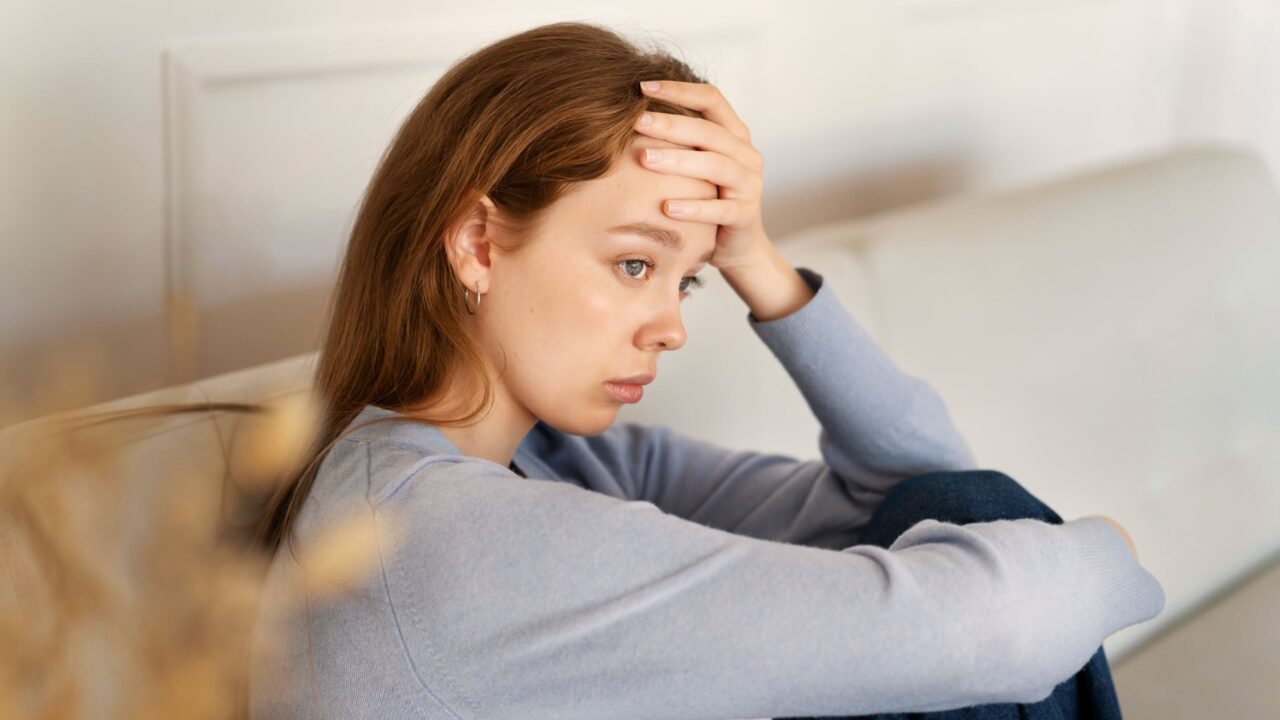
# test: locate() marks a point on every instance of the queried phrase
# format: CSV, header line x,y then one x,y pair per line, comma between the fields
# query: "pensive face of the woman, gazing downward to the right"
x,y
578,306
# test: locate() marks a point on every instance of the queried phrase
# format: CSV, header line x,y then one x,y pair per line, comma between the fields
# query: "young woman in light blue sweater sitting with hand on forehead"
x,y
515,272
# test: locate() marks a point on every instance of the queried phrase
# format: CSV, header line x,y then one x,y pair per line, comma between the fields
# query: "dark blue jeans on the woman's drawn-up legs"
x,y
980,496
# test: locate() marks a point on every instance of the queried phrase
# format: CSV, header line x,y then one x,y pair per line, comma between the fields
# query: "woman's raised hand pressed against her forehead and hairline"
x,y
720,153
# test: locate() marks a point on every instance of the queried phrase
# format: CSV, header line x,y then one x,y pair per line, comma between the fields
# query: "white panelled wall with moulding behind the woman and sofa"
x,y
213,154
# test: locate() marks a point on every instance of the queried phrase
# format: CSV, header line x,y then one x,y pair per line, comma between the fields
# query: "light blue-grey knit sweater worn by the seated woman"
x,y
646,575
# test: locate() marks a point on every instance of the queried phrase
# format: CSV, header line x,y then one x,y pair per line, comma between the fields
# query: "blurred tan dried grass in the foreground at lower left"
x,y
122,593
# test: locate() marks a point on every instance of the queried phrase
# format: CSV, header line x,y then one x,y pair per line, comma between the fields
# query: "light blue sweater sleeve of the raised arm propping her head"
x,y
879,427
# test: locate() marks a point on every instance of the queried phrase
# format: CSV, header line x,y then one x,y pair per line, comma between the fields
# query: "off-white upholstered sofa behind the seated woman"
x,y
1110,340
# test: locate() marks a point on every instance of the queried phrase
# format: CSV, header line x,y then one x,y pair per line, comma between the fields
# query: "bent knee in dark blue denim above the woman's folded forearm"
x,y
970,496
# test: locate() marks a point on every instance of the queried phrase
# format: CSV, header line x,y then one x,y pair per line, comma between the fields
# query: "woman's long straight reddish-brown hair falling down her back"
x,y
519,121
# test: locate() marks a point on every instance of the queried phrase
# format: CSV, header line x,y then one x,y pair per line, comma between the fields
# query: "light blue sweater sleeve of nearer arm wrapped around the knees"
x,y
541,600
